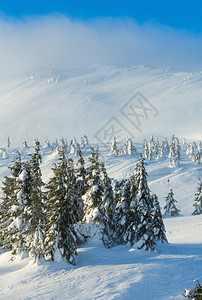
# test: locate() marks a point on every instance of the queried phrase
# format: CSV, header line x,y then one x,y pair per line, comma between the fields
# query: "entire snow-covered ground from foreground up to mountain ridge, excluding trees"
x,y
52,104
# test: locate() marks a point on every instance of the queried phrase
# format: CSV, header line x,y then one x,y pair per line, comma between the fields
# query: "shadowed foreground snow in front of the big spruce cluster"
x,y
118,273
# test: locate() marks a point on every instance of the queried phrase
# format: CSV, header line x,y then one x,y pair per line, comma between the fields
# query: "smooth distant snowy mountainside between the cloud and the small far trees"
x,y
48,104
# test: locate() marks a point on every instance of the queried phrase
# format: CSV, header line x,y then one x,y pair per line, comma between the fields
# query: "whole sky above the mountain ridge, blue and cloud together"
x,y
70,34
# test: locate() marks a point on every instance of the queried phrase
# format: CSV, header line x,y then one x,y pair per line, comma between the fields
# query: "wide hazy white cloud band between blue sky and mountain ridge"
x,y
57,42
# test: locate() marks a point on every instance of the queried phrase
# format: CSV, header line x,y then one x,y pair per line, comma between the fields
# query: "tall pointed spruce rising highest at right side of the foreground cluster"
x,y
145,237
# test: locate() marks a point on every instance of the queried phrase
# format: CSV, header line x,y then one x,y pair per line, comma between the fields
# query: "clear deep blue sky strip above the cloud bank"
x,y
177,14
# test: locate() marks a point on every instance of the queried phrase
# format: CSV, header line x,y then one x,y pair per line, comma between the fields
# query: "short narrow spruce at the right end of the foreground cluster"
x,y
158,226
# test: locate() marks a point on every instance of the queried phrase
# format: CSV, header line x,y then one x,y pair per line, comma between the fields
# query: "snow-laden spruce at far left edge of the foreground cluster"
x,y
10,208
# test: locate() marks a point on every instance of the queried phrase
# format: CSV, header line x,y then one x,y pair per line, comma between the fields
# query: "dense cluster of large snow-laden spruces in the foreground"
x,y
43,218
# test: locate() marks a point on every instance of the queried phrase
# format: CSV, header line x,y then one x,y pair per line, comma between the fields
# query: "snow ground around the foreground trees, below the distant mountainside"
x,y
120,272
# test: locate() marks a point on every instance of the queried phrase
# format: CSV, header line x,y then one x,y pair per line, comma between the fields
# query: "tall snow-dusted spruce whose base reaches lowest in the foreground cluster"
x,y
60,241
